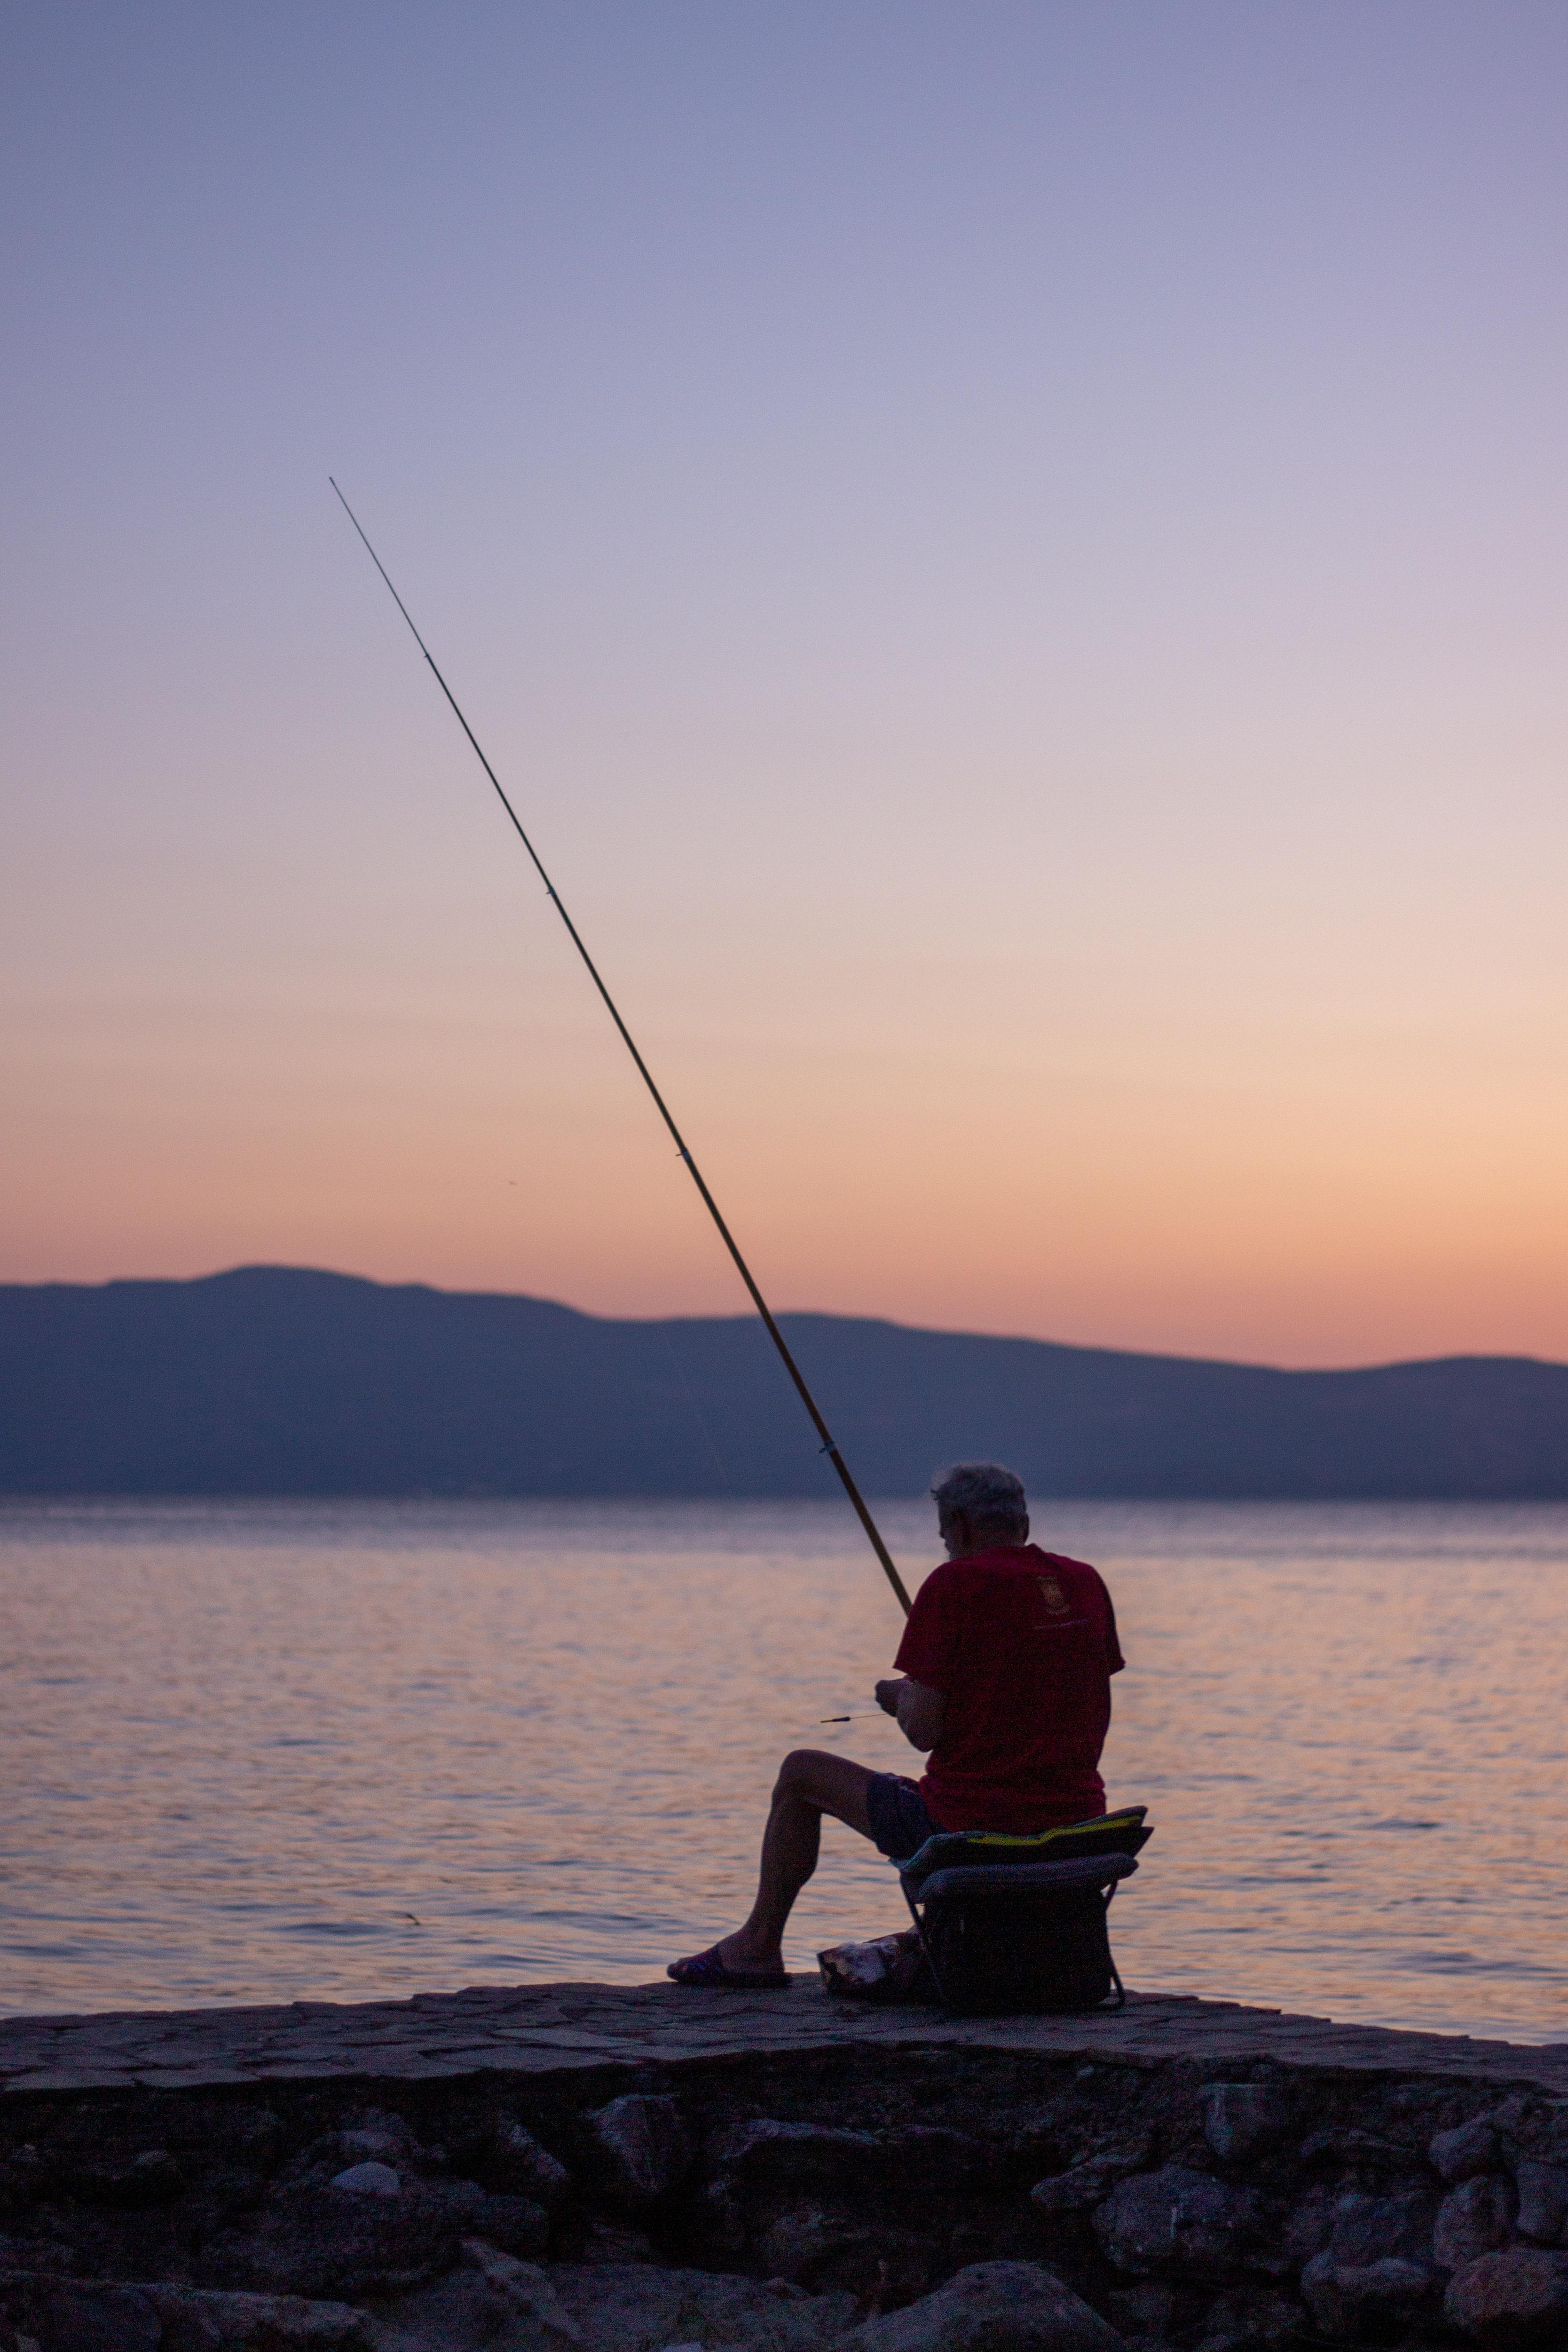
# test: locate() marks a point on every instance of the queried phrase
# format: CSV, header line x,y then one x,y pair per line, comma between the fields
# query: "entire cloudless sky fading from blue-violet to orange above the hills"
x,y
1012,561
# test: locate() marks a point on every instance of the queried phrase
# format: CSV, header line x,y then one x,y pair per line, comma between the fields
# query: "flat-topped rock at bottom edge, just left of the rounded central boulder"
x,y
648,2311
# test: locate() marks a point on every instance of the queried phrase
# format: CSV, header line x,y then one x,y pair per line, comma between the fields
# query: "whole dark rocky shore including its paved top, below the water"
x,y
634,2170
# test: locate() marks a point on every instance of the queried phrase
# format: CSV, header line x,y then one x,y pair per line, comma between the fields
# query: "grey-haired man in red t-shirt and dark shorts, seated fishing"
x,y
1005,1688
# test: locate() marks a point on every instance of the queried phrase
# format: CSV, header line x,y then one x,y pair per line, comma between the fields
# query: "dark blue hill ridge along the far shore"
x,y
286,1382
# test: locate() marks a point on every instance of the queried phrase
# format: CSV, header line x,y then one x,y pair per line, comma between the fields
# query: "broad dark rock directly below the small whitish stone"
x,y
330,2243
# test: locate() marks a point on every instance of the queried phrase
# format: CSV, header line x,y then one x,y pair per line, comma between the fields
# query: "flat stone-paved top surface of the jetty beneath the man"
x,y
563,2029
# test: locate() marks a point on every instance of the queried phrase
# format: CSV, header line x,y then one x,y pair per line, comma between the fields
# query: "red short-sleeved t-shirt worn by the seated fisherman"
x,y
1021,1645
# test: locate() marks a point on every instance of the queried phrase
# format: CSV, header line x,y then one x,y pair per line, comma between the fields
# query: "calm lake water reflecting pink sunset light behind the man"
x,y
272,1751
